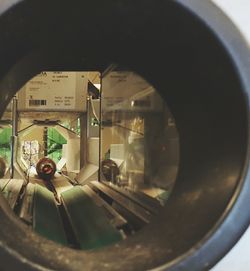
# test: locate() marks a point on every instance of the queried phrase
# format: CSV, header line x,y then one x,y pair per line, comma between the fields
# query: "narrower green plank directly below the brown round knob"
x,y
46,218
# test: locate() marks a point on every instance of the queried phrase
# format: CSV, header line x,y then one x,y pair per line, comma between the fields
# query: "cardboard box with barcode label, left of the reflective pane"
x,y
55,91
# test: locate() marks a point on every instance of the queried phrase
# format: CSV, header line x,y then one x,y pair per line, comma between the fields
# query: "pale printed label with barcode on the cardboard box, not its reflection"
x,y
51,91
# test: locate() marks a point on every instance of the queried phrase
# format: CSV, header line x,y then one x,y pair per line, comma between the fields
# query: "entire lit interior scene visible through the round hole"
x,y
88,158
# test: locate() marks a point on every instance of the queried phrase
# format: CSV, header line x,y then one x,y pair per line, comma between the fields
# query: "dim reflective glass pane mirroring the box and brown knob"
x,y
140,142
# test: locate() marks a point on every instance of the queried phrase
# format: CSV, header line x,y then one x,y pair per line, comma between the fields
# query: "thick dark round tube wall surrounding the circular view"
x,y
182,58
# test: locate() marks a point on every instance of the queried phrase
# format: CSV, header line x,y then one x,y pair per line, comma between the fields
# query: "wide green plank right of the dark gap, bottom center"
x,y
88,221
